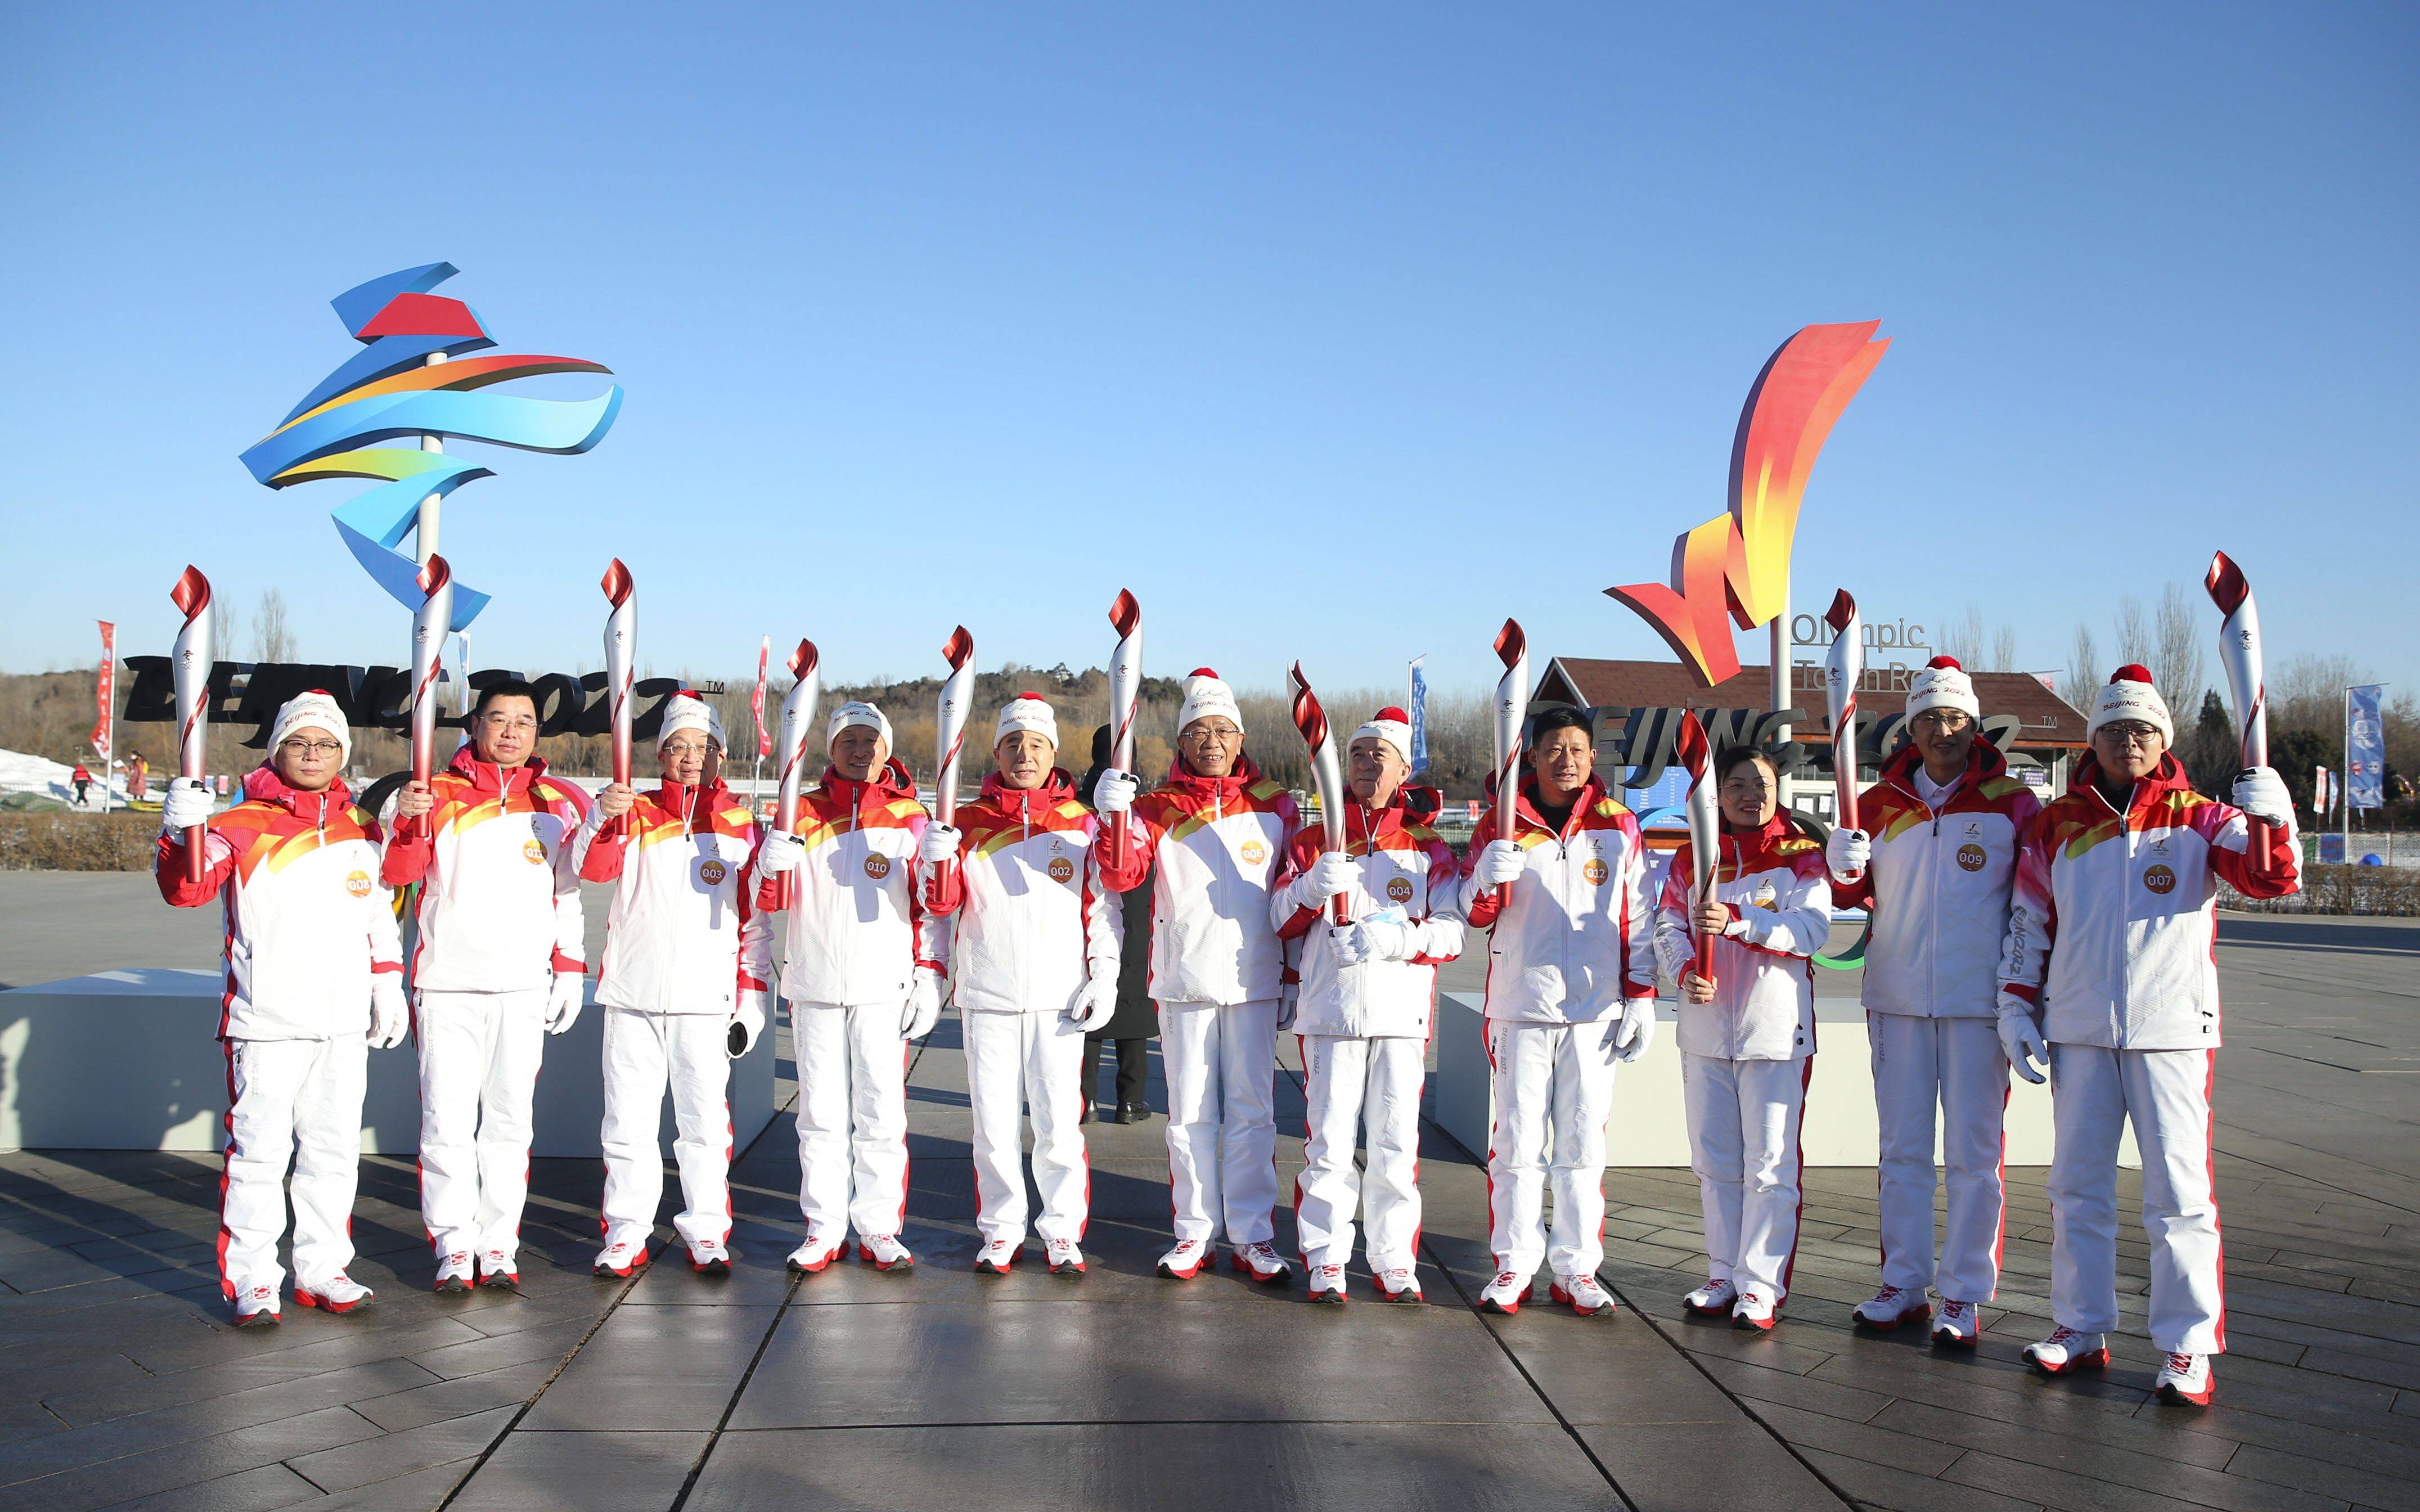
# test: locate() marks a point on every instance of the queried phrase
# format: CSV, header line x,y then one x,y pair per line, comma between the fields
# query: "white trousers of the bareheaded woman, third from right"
x,y
1744,1145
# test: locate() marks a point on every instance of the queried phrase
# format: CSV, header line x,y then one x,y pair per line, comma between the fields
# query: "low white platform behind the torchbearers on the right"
x,y
1649,1126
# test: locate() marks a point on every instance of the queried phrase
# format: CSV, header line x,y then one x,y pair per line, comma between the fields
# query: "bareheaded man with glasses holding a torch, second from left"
x,y
497,969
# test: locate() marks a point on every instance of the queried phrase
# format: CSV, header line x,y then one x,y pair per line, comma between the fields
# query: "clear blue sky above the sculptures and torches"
x,y
1330,335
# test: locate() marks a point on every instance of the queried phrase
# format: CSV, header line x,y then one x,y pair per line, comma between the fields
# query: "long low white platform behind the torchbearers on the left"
x,y
129,1061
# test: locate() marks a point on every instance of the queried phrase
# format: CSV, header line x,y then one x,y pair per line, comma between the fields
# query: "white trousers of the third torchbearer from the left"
x,y
645,1056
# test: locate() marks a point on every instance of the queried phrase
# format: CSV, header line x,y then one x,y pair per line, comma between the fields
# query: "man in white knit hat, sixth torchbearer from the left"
x,y
1216,831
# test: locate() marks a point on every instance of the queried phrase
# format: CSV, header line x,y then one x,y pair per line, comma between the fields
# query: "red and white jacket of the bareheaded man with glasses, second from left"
x,y
500,899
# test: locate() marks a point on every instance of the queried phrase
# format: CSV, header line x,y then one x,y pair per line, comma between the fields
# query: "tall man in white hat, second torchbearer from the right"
x,y
1935,865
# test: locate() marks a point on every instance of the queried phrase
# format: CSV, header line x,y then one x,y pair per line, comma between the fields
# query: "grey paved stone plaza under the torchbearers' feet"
x,y
122,1383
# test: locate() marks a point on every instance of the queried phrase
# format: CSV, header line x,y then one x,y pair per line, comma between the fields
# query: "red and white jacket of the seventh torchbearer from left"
x,y
1407,877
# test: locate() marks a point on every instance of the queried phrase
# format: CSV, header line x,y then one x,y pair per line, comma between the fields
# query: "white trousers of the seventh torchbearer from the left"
x,y
1354,1090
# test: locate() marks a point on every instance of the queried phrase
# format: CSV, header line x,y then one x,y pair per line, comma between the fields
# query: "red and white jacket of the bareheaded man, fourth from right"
x,y
1581,935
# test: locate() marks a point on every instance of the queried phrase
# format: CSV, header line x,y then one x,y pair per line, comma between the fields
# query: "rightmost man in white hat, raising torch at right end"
x,y
2109,979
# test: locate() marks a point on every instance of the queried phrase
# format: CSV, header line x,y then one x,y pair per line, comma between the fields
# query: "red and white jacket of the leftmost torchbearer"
x,y
309,921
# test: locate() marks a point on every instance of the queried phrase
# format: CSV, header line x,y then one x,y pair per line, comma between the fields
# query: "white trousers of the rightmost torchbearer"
x,y
2167,1095
